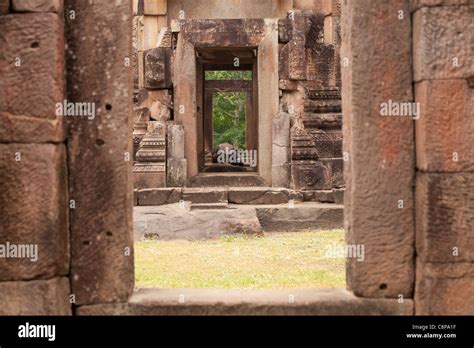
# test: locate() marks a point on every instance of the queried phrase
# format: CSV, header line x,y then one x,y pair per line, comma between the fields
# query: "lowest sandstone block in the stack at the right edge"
x,y
444,289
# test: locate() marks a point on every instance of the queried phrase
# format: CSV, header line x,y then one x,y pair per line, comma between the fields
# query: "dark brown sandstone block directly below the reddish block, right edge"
x,y
444,215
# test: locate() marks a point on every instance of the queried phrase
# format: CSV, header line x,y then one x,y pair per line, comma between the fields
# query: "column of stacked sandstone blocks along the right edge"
x,y
444,89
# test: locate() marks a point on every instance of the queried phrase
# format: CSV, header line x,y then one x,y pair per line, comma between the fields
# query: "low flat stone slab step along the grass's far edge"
x,y
191,221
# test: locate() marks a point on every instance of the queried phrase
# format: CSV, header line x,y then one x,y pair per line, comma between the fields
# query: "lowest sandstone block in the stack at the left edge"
x,y
36,297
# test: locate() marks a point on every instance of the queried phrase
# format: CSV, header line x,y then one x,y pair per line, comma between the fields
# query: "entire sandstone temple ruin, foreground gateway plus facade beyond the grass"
x,y
67,183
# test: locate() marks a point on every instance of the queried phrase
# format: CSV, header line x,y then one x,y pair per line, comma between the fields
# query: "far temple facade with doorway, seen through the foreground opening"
x,y
293,119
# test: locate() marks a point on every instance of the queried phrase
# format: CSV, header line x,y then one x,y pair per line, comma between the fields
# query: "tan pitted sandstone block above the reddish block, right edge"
x,y
442,42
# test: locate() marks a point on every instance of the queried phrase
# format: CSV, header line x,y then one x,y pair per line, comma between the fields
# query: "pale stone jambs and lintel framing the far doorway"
x,y
260,34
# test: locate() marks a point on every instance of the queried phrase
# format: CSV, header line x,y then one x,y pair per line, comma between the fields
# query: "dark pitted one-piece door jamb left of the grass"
x,y
100,152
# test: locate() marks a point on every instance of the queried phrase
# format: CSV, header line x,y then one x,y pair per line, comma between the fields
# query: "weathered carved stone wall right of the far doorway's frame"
x,y
310,96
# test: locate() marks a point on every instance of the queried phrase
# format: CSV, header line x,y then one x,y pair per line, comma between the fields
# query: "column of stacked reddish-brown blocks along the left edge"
x,y
33,174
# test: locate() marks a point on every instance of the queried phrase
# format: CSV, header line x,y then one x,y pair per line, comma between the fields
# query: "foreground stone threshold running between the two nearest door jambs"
x,y
198,302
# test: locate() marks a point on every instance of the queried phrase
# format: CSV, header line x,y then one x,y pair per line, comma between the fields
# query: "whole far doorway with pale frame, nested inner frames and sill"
x,y
218,45
